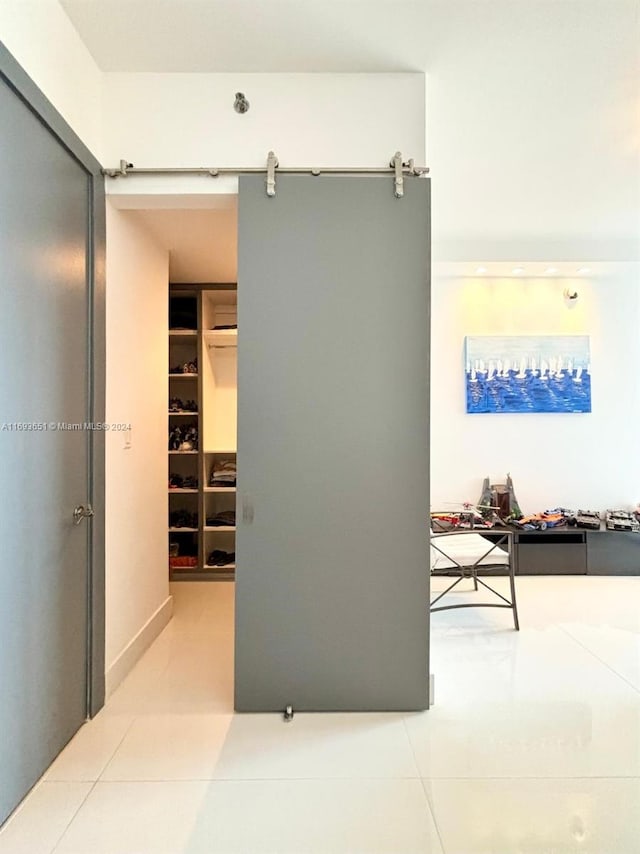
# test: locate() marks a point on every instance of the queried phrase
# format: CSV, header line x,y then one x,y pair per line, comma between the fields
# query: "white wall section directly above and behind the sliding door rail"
x,y
307,119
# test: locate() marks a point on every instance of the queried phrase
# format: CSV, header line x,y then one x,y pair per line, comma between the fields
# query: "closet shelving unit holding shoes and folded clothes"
x,y
214,390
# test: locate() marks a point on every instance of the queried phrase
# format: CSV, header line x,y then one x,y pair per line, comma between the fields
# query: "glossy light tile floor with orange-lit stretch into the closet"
x,y
533,746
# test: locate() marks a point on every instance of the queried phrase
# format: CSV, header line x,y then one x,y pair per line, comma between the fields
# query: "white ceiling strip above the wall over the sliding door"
x,y
269,35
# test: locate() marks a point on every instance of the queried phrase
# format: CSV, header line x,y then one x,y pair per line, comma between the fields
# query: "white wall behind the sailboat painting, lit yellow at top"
x,y
583,461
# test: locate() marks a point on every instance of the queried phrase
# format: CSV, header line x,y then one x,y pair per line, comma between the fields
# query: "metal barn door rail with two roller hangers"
x,y
399,168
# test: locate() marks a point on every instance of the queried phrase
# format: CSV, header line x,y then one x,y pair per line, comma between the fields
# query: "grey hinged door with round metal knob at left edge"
x,y
44,227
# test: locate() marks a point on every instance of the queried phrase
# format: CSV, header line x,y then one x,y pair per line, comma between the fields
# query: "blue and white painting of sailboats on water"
x,y
528,373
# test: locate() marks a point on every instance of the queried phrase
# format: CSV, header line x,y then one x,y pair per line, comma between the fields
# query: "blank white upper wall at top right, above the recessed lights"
x,y
533,122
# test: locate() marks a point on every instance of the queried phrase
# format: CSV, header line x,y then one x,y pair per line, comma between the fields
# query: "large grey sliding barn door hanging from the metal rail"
x,y
332,604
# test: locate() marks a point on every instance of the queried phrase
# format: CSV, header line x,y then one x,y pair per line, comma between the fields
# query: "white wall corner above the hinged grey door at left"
x,y
42,39
